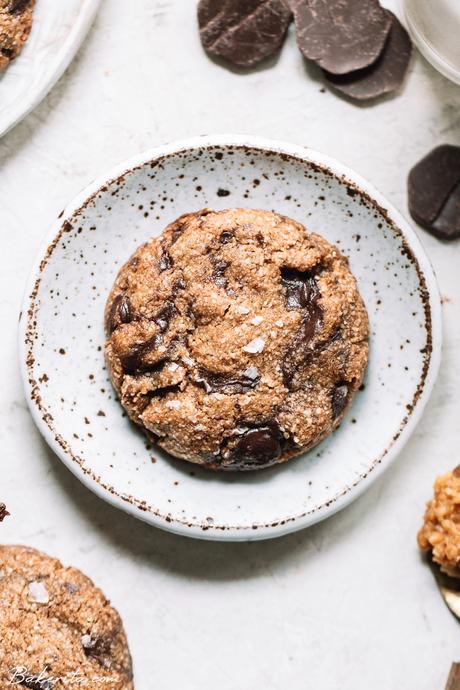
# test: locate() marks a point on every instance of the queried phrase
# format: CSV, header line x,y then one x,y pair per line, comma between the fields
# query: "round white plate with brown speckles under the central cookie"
x,y
61,335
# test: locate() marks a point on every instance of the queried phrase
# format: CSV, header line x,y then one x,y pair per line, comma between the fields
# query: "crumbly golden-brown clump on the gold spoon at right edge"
x,y
440,533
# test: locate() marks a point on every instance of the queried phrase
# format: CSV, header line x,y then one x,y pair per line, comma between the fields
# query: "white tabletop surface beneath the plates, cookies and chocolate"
x,y
345,605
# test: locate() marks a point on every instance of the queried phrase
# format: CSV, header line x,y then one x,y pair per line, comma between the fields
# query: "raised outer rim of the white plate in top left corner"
x,y
56,68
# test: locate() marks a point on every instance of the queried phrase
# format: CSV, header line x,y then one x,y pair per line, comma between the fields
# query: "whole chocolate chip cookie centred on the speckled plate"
x,y
236,339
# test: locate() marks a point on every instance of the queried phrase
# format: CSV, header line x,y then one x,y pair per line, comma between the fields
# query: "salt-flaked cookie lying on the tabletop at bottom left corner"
x,y
56,628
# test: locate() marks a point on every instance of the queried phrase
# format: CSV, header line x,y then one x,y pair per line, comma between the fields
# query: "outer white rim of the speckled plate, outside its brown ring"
x,y
240,533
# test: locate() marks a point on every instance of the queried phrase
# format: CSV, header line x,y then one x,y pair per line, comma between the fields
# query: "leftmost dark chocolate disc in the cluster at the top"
x,y
244,32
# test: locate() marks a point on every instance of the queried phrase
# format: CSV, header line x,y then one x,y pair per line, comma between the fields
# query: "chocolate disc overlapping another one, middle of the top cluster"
x,y
341,36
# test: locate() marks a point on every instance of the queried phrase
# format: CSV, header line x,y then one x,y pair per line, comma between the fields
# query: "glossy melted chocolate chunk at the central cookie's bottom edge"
x,y
260,445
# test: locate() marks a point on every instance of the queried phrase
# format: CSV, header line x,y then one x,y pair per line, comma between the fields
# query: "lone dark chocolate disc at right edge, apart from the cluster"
x,y
434,192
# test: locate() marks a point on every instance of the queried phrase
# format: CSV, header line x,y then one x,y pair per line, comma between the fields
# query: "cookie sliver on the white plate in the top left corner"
x,y
15,27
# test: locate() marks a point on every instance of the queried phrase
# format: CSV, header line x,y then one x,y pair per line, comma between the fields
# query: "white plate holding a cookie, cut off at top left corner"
x,y
58,30
